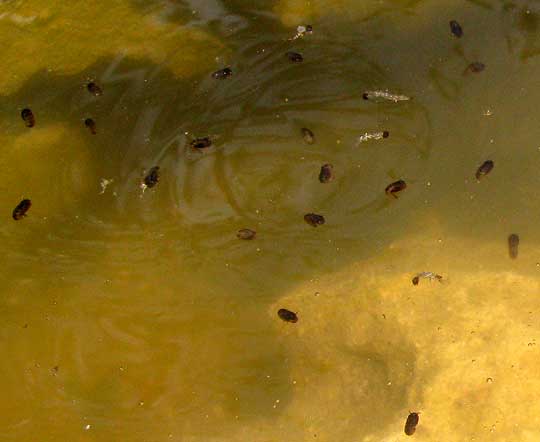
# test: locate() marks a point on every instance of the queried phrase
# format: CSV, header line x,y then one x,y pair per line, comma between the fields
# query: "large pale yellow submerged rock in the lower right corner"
x,y
369,347
